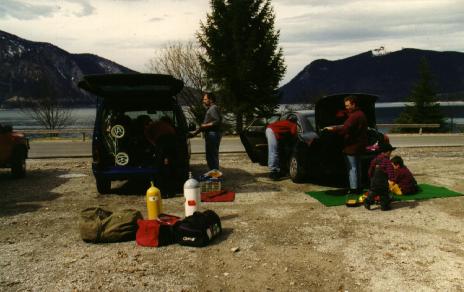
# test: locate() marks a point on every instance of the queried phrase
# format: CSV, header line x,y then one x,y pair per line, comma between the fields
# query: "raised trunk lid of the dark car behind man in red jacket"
x,y
328,109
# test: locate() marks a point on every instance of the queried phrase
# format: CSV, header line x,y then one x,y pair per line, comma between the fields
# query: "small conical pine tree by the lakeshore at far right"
x,y
425,108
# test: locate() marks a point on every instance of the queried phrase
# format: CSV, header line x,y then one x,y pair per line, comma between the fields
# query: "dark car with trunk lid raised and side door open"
x,y
315,152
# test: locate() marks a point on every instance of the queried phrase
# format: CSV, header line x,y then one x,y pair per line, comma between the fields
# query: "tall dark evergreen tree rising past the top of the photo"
x,y
243,60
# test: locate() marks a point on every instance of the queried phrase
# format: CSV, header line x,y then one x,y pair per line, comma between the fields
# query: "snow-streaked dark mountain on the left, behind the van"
x,y
31,69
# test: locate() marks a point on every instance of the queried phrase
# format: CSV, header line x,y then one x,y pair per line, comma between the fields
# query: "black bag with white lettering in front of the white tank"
x,y
198,229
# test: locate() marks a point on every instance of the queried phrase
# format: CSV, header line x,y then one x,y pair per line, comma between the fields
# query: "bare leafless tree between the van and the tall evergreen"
x,y
181,60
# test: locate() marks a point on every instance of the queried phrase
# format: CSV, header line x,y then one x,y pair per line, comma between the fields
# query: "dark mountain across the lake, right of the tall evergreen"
x,y
390,76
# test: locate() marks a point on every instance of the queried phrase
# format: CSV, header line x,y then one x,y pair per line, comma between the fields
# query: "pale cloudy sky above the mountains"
x,y
130,31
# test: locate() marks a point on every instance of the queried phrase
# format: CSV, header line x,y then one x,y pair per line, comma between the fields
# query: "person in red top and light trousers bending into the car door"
x,y
275,132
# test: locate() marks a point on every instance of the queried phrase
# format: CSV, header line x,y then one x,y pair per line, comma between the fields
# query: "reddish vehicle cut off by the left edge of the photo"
x,y
14,148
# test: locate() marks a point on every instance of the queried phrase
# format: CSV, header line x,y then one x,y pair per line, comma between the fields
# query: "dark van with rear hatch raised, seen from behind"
x,y
124,146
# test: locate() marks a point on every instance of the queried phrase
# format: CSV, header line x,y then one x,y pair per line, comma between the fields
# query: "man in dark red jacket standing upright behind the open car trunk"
x,y
354,132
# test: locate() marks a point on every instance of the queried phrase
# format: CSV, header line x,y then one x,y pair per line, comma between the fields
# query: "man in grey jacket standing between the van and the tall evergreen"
x,y
211,127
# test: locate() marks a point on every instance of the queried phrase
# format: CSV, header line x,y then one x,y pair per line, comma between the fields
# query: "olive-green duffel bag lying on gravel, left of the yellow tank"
x,y
98,225
